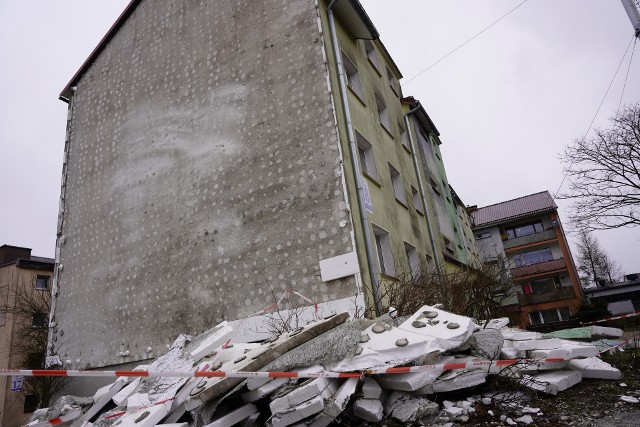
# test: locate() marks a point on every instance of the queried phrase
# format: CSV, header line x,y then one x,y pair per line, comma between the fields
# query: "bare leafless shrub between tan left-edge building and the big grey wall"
x,y
29,309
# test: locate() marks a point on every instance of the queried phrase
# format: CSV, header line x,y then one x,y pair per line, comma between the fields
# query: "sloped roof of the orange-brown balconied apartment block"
x,y
512,209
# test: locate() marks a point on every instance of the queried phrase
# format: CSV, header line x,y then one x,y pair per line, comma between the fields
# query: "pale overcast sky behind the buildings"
x,y
505,104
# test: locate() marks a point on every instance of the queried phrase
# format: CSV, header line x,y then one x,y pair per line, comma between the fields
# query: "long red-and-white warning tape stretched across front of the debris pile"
x,y
275,374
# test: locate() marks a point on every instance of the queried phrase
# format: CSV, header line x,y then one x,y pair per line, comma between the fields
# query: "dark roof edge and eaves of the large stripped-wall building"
x,y
351,12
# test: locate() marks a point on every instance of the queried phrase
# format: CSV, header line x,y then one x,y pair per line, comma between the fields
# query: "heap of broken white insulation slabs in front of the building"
x,y
336,370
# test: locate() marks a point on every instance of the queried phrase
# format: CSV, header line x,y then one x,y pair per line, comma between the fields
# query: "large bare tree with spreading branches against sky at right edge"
x,y
604,174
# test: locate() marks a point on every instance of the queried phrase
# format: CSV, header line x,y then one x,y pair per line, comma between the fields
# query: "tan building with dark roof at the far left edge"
x,y
22,276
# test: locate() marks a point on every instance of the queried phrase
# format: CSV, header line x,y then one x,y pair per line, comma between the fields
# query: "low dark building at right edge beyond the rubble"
x,y
621,297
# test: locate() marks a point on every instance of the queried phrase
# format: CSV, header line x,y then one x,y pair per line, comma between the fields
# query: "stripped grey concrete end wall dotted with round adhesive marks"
x,y
202,177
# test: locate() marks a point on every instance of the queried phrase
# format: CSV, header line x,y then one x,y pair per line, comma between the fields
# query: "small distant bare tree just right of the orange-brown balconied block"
x,y
594,264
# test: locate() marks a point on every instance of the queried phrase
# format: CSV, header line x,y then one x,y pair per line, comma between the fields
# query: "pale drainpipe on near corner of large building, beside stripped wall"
x,y
355,161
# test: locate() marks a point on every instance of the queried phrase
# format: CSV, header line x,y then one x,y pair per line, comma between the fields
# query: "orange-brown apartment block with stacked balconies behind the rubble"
x,y
527,233
